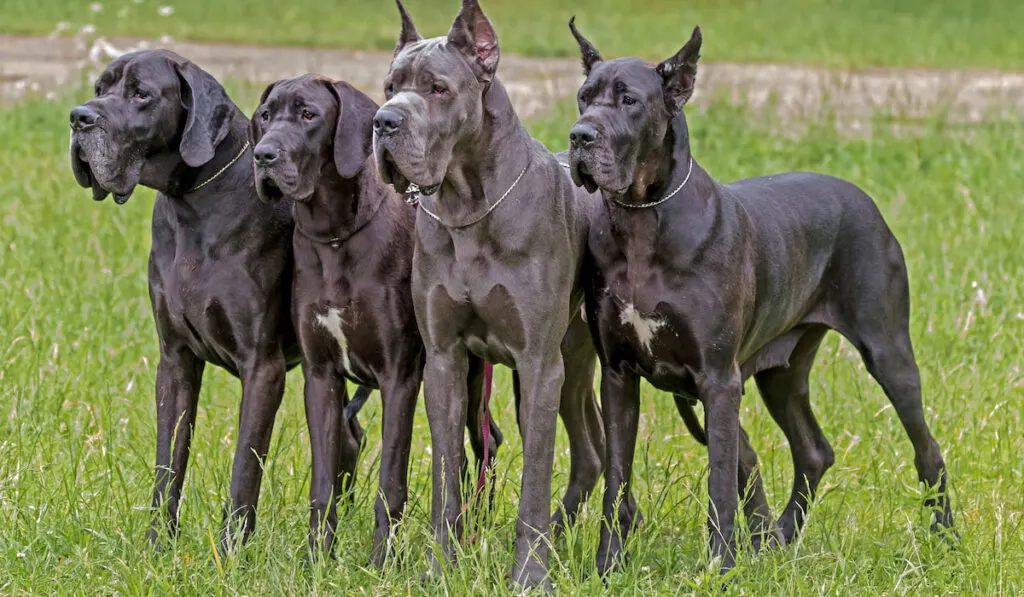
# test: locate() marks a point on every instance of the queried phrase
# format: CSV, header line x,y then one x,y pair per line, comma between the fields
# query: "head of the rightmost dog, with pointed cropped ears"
x,y
627,107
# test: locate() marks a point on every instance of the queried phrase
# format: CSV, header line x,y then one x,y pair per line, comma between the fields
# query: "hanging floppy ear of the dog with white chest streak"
x,y
354,135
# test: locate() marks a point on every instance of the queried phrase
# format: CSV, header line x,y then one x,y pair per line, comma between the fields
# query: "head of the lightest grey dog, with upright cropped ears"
x,y
435,92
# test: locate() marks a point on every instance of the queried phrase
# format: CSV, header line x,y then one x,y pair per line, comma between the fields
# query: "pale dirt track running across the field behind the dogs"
x,y
35,66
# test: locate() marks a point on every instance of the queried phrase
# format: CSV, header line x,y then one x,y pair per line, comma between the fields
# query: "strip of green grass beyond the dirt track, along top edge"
x,y
859,33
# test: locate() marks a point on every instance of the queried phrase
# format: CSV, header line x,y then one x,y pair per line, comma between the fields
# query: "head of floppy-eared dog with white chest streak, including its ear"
x,y
305,125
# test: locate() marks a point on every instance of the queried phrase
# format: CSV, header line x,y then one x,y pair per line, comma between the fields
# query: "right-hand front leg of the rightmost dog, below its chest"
x,y
721,397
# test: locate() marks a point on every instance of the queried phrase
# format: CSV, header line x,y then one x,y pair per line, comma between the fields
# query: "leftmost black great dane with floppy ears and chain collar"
x,y
221,266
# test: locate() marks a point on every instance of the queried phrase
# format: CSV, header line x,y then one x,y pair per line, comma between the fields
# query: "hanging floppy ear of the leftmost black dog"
x,y
209,114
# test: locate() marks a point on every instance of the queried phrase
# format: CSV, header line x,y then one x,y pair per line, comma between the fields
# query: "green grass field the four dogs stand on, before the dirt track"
x,y
78,355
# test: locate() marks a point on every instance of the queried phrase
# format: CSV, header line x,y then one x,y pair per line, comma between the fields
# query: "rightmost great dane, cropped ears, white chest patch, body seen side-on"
x,y
697,286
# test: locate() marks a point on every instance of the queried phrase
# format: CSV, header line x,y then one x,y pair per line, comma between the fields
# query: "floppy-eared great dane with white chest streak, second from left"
x,y
352,304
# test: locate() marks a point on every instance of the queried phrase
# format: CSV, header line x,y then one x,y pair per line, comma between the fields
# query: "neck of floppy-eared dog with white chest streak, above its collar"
x,y
340,207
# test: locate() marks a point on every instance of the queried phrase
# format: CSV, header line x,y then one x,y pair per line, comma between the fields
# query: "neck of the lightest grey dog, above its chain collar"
x,y
477,179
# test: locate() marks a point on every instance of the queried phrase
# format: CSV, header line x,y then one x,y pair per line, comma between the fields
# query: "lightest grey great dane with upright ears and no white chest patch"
x,y
500,240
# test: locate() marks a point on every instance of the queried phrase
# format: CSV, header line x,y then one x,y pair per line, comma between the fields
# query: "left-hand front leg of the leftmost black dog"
x,y
180,376
